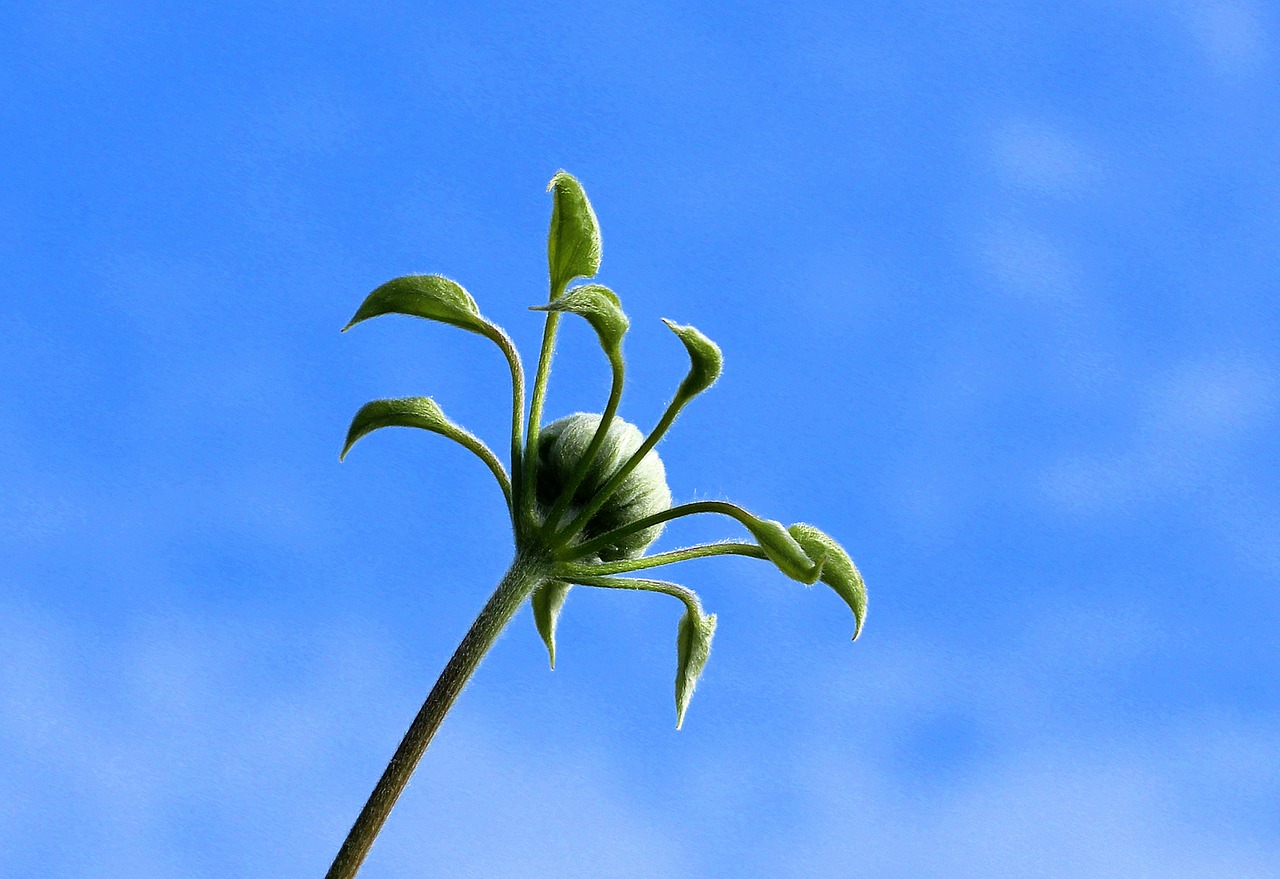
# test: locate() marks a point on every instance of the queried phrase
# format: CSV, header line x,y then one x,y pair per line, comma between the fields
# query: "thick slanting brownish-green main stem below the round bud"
x,y
524,576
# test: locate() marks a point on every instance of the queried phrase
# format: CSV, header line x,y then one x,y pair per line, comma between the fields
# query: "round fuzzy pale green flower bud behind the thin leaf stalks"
x,y
644,492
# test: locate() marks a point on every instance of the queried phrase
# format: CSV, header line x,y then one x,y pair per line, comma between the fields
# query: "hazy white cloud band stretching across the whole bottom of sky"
x,y
199,747
